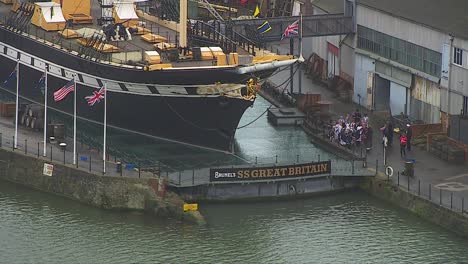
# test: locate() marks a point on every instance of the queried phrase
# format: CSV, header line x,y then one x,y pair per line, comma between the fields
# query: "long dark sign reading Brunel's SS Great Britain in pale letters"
x,y
275,172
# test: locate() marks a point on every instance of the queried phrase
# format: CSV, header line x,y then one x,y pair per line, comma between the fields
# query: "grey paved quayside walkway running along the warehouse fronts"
x,y
447,181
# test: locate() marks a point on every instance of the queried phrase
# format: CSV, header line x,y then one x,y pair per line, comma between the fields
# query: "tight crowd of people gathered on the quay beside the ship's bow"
x,y
351,131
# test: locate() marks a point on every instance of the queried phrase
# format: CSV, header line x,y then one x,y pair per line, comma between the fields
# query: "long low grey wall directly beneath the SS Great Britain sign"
x,y
258,190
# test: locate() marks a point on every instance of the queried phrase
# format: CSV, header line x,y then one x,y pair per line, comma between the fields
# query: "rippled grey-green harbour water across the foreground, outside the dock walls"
x,y
343,228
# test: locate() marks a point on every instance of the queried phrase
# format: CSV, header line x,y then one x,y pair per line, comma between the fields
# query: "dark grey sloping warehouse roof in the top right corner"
x,y
448,16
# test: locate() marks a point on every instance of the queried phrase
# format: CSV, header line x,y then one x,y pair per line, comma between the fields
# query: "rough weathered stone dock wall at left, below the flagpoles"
x,y
107,192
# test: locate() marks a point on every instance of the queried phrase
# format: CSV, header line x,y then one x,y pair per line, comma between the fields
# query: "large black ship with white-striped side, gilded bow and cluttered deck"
x,y
186,99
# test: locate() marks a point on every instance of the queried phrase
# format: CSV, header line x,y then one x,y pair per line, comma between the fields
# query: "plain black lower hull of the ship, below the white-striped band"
x,y
200,120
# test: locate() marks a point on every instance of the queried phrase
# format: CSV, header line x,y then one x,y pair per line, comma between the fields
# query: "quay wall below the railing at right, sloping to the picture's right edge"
x,y
421,207
